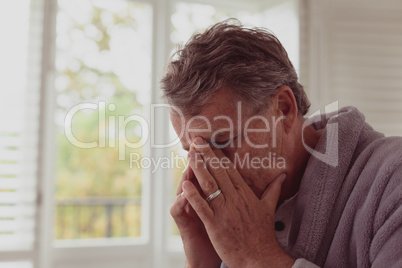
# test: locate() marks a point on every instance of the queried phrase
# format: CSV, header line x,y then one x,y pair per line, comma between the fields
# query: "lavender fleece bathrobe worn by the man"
x,y
349,215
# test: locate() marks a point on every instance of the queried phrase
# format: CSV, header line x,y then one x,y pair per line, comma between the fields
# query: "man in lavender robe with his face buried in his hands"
x,y
266,187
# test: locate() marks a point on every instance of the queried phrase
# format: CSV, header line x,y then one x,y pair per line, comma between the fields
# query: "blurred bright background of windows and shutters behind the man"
x,y
74,191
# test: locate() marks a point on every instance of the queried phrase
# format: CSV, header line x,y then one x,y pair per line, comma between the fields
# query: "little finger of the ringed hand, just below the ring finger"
x,y
197,202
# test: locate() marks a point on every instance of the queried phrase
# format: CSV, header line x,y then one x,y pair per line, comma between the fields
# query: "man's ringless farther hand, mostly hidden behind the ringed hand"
x,y
197,246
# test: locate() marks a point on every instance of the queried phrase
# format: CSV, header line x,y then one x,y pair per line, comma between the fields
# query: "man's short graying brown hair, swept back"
x,y
252,63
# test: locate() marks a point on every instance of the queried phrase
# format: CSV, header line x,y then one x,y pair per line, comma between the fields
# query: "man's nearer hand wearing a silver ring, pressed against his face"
x,y
239,225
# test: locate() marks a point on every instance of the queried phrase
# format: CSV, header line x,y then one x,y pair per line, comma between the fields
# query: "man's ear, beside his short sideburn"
x,y
285,105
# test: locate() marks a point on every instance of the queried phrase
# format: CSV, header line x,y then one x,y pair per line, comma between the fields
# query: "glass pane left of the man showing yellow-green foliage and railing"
x,y
103,84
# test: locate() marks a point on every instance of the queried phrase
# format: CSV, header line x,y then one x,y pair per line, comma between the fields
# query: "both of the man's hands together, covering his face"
x,y
235,226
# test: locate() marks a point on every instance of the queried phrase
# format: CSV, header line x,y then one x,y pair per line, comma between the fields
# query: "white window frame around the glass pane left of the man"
x,y
151,248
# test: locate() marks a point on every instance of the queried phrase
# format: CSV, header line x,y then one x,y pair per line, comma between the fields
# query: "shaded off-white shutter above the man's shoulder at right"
x,y
360,48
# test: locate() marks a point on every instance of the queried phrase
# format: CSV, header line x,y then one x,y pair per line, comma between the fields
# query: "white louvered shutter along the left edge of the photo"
x,y
20,70
